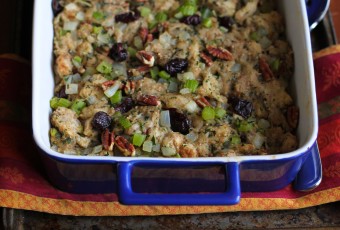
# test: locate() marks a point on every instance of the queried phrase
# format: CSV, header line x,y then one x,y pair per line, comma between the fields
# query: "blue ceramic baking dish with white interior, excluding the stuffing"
x,y
165,181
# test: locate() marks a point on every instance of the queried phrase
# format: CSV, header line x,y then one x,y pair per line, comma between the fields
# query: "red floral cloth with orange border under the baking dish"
x,y
23,184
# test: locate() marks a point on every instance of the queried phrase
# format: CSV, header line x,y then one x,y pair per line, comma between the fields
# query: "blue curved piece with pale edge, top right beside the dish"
x,y
316,10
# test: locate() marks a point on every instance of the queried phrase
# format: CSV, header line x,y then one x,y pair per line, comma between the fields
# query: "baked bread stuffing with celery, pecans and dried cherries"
x,y
171,78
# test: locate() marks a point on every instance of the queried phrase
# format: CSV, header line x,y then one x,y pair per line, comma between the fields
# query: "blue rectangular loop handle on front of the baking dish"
x,y
229,197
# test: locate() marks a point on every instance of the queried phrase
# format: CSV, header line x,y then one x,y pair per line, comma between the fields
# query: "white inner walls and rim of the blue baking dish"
x,y
303,88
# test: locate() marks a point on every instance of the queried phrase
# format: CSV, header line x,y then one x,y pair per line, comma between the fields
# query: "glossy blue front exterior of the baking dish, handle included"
x,y
152,182
